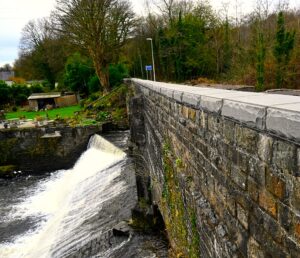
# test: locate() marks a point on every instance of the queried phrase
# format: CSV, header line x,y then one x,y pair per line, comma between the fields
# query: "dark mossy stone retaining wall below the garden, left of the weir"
x,y
38,150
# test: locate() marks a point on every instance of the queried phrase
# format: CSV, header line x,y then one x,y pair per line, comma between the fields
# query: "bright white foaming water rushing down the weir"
x,y
70,201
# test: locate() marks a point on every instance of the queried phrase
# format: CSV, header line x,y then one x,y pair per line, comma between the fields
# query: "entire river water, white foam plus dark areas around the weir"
x,y
72,213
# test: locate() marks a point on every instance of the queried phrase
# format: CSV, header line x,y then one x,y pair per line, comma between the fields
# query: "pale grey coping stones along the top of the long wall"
x,y
273,113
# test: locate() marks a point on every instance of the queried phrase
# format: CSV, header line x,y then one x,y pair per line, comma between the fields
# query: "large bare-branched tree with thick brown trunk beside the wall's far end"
x,y
99,26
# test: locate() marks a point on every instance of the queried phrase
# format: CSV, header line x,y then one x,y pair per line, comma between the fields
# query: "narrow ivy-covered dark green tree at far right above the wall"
x,y
282,50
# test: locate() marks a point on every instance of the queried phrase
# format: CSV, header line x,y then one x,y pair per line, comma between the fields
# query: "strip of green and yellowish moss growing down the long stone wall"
x,y
177,218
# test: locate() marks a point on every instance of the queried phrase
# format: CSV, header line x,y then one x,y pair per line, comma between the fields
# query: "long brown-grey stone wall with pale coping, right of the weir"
x,y
222,166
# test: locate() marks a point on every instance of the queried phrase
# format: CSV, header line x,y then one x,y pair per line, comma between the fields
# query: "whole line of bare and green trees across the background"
x,y
191,41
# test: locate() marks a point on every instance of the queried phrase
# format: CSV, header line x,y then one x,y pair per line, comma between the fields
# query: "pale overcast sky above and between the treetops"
x,y
14,14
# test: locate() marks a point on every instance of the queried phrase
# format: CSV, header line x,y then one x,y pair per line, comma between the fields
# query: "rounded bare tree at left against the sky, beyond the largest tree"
x,y
42,52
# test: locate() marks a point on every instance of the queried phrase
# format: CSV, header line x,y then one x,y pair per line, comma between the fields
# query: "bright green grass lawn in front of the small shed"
x,y
62,112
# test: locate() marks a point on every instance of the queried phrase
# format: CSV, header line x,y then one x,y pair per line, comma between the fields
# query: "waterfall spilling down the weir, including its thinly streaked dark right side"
x,y
77,207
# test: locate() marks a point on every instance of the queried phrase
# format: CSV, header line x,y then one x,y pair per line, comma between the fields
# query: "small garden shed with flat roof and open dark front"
x,y
39,101
